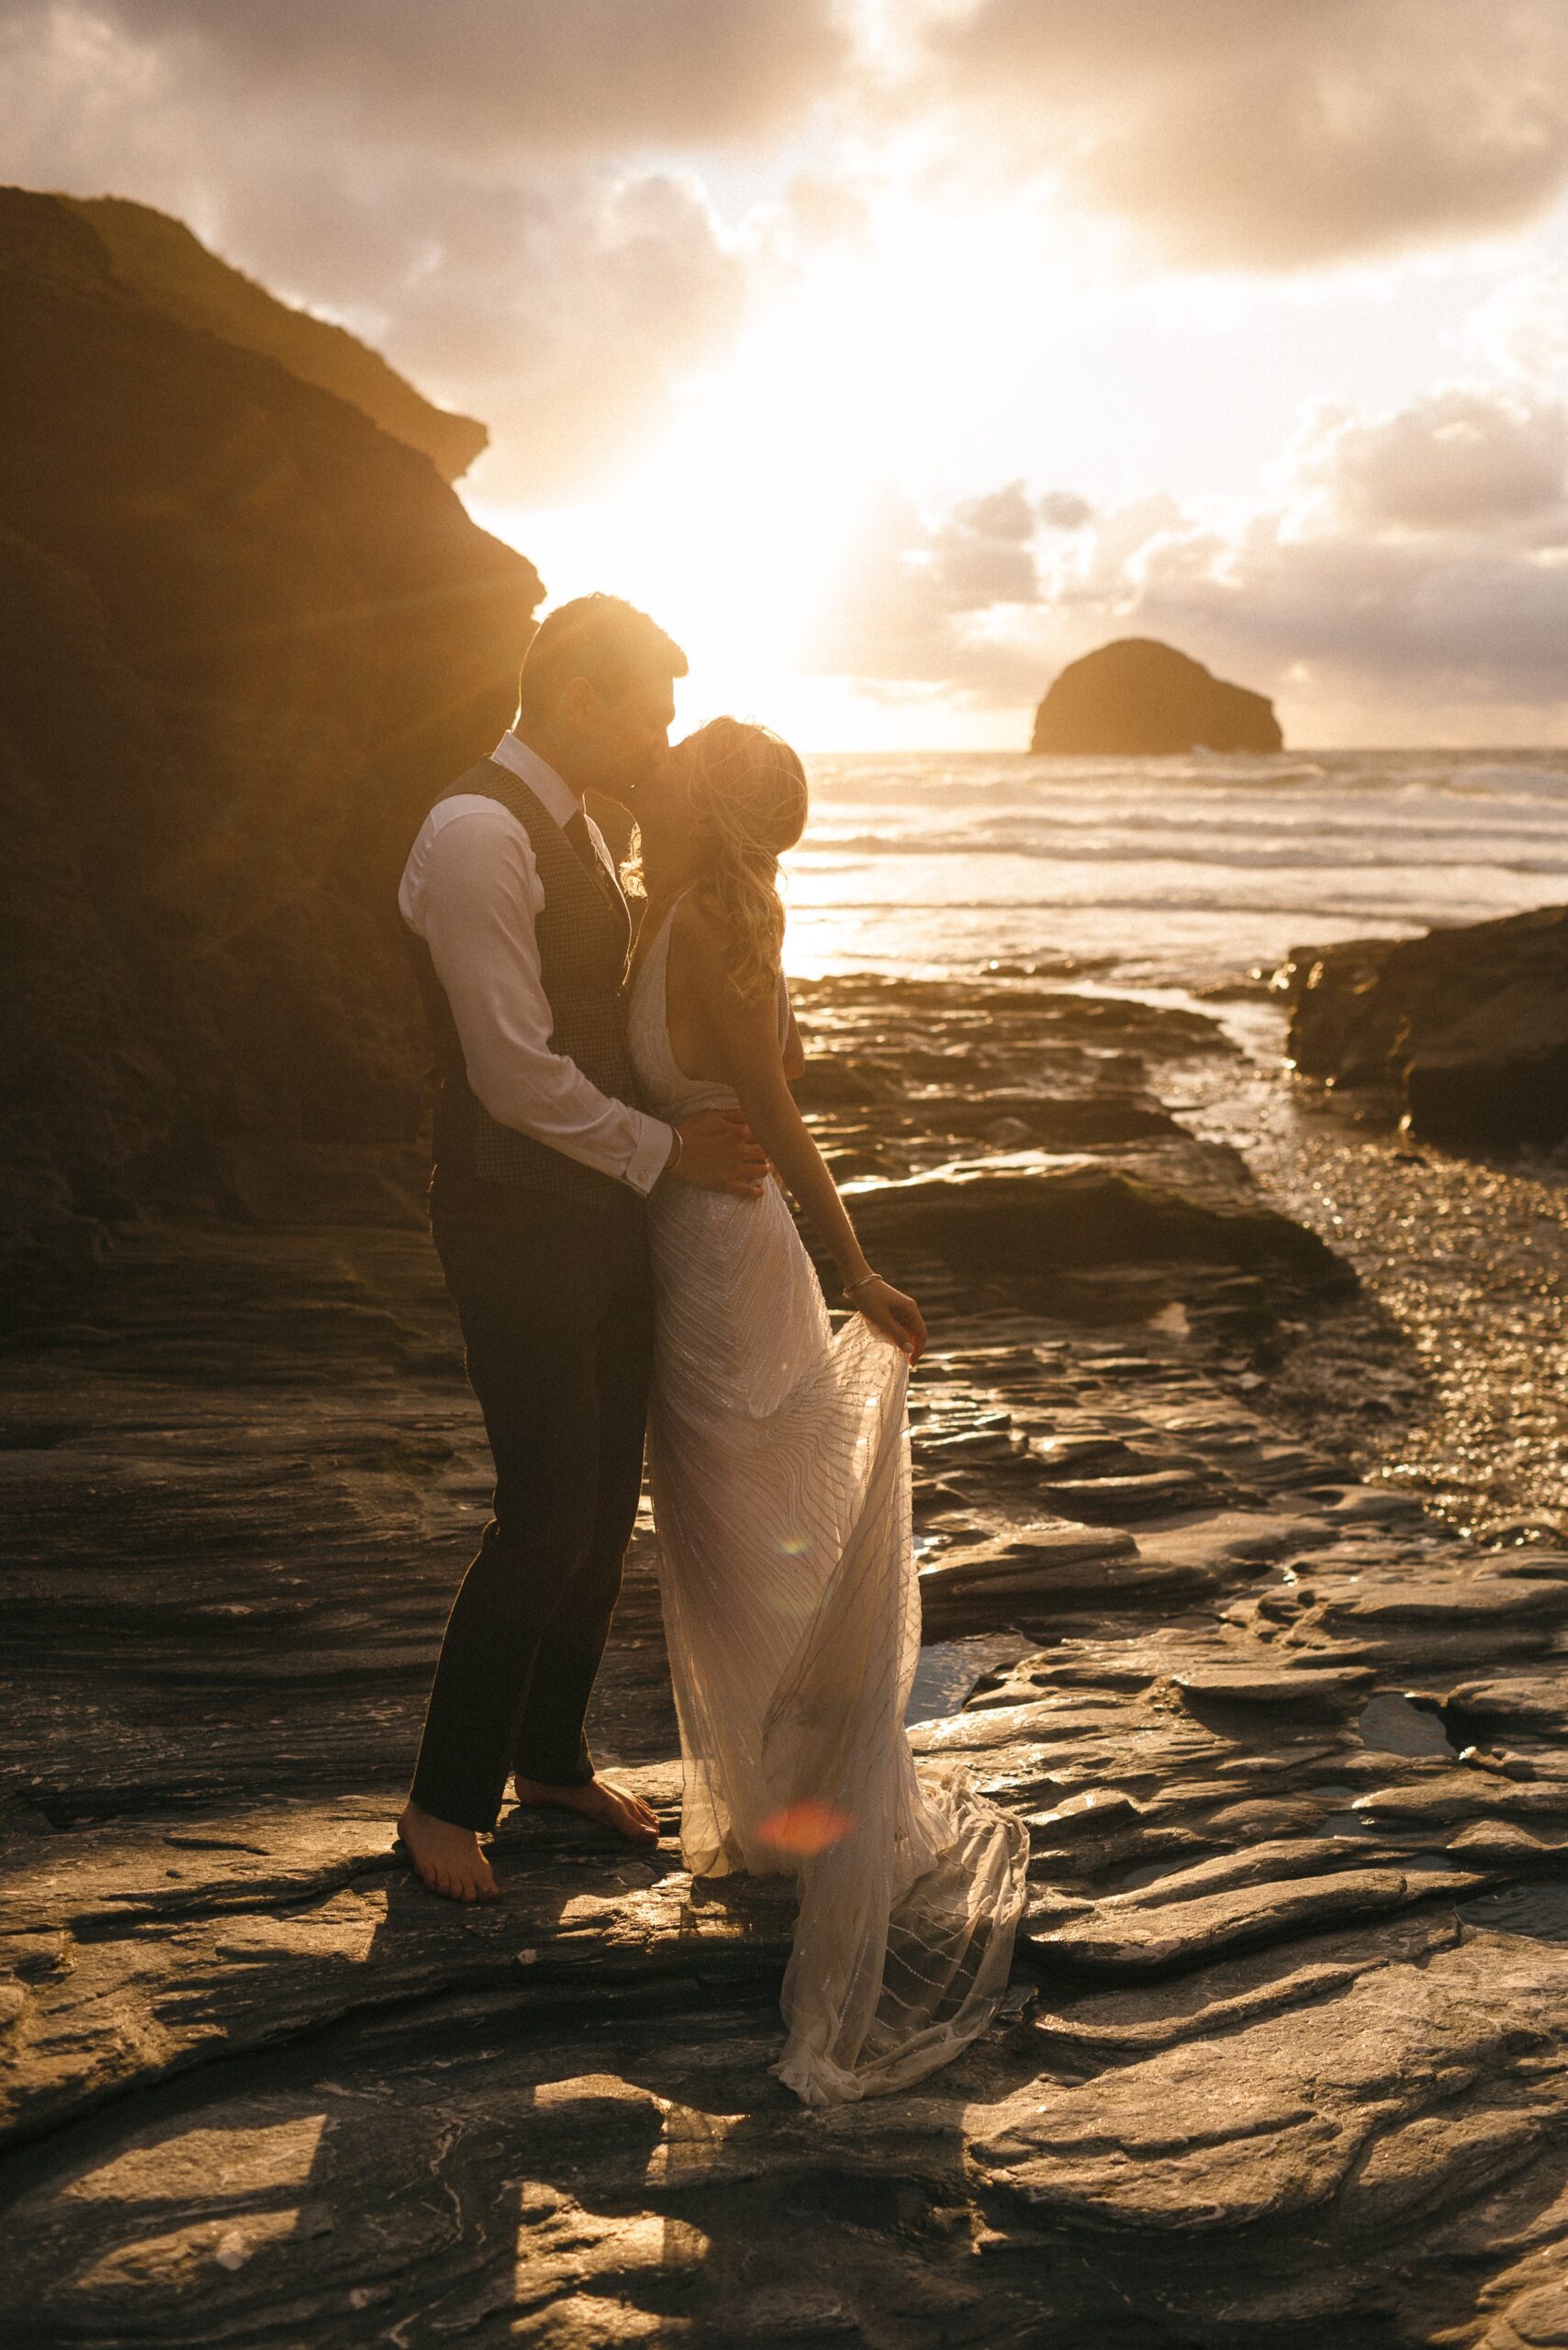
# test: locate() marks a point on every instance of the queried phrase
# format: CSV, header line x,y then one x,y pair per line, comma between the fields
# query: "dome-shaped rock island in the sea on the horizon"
x,y
1139,699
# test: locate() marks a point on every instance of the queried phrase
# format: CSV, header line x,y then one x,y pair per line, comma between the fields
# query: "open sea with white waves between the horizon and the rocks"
x,y
1162,873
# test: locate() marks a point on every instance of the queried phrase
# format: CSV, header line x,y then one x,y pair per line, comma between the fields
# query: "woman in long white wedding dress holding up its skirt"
x,y
782,1486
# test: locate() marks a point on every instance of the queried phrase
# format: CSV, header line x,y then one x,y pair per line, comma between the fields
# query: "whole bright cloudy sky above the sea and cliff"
x,y
897,351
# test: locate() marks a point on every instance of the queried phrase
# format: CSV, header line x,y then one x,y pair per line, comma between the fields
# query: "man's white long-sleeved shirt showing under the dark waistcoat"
x,y
471,892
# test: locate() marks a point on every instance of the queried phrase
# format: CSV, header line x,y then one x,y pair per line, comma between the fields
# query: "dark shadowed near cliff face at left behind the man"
x,y
248,636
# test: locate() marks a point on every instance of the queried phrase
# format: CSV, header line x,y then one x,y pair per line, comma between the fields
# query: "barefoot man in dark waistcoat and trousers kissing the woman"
x,y
542,1169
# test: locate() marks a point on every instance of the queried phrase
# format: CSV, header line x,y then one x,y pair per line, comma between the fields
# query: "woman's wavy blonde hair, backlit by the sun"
x,y
749,791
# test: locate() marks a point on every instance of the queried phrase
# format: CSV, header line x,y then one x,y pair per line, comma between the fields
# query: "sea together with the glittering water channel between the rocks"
x,y
1186,882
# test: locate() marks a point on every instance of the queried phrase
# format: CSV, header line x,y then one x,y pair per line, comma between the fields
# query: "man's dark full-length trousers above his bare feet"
x,y
558,1322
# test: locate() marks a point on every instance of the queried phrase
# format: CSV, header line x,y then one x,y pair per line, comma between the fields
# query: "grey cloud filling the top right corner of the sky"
x,y
1275,137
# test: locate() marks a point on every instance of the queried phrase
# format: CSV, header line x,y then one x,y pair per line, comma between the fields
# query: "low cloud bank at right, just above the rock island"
x,y
1409,572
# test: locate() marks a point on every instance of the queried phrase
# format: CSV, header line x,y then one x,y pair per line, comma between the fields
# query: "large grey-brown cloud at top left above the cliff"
x,y
492,192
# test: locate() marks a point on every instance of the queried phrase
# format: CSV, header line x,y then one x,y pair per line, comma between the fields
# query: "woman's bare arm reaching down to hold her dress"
x,y
753,1061
